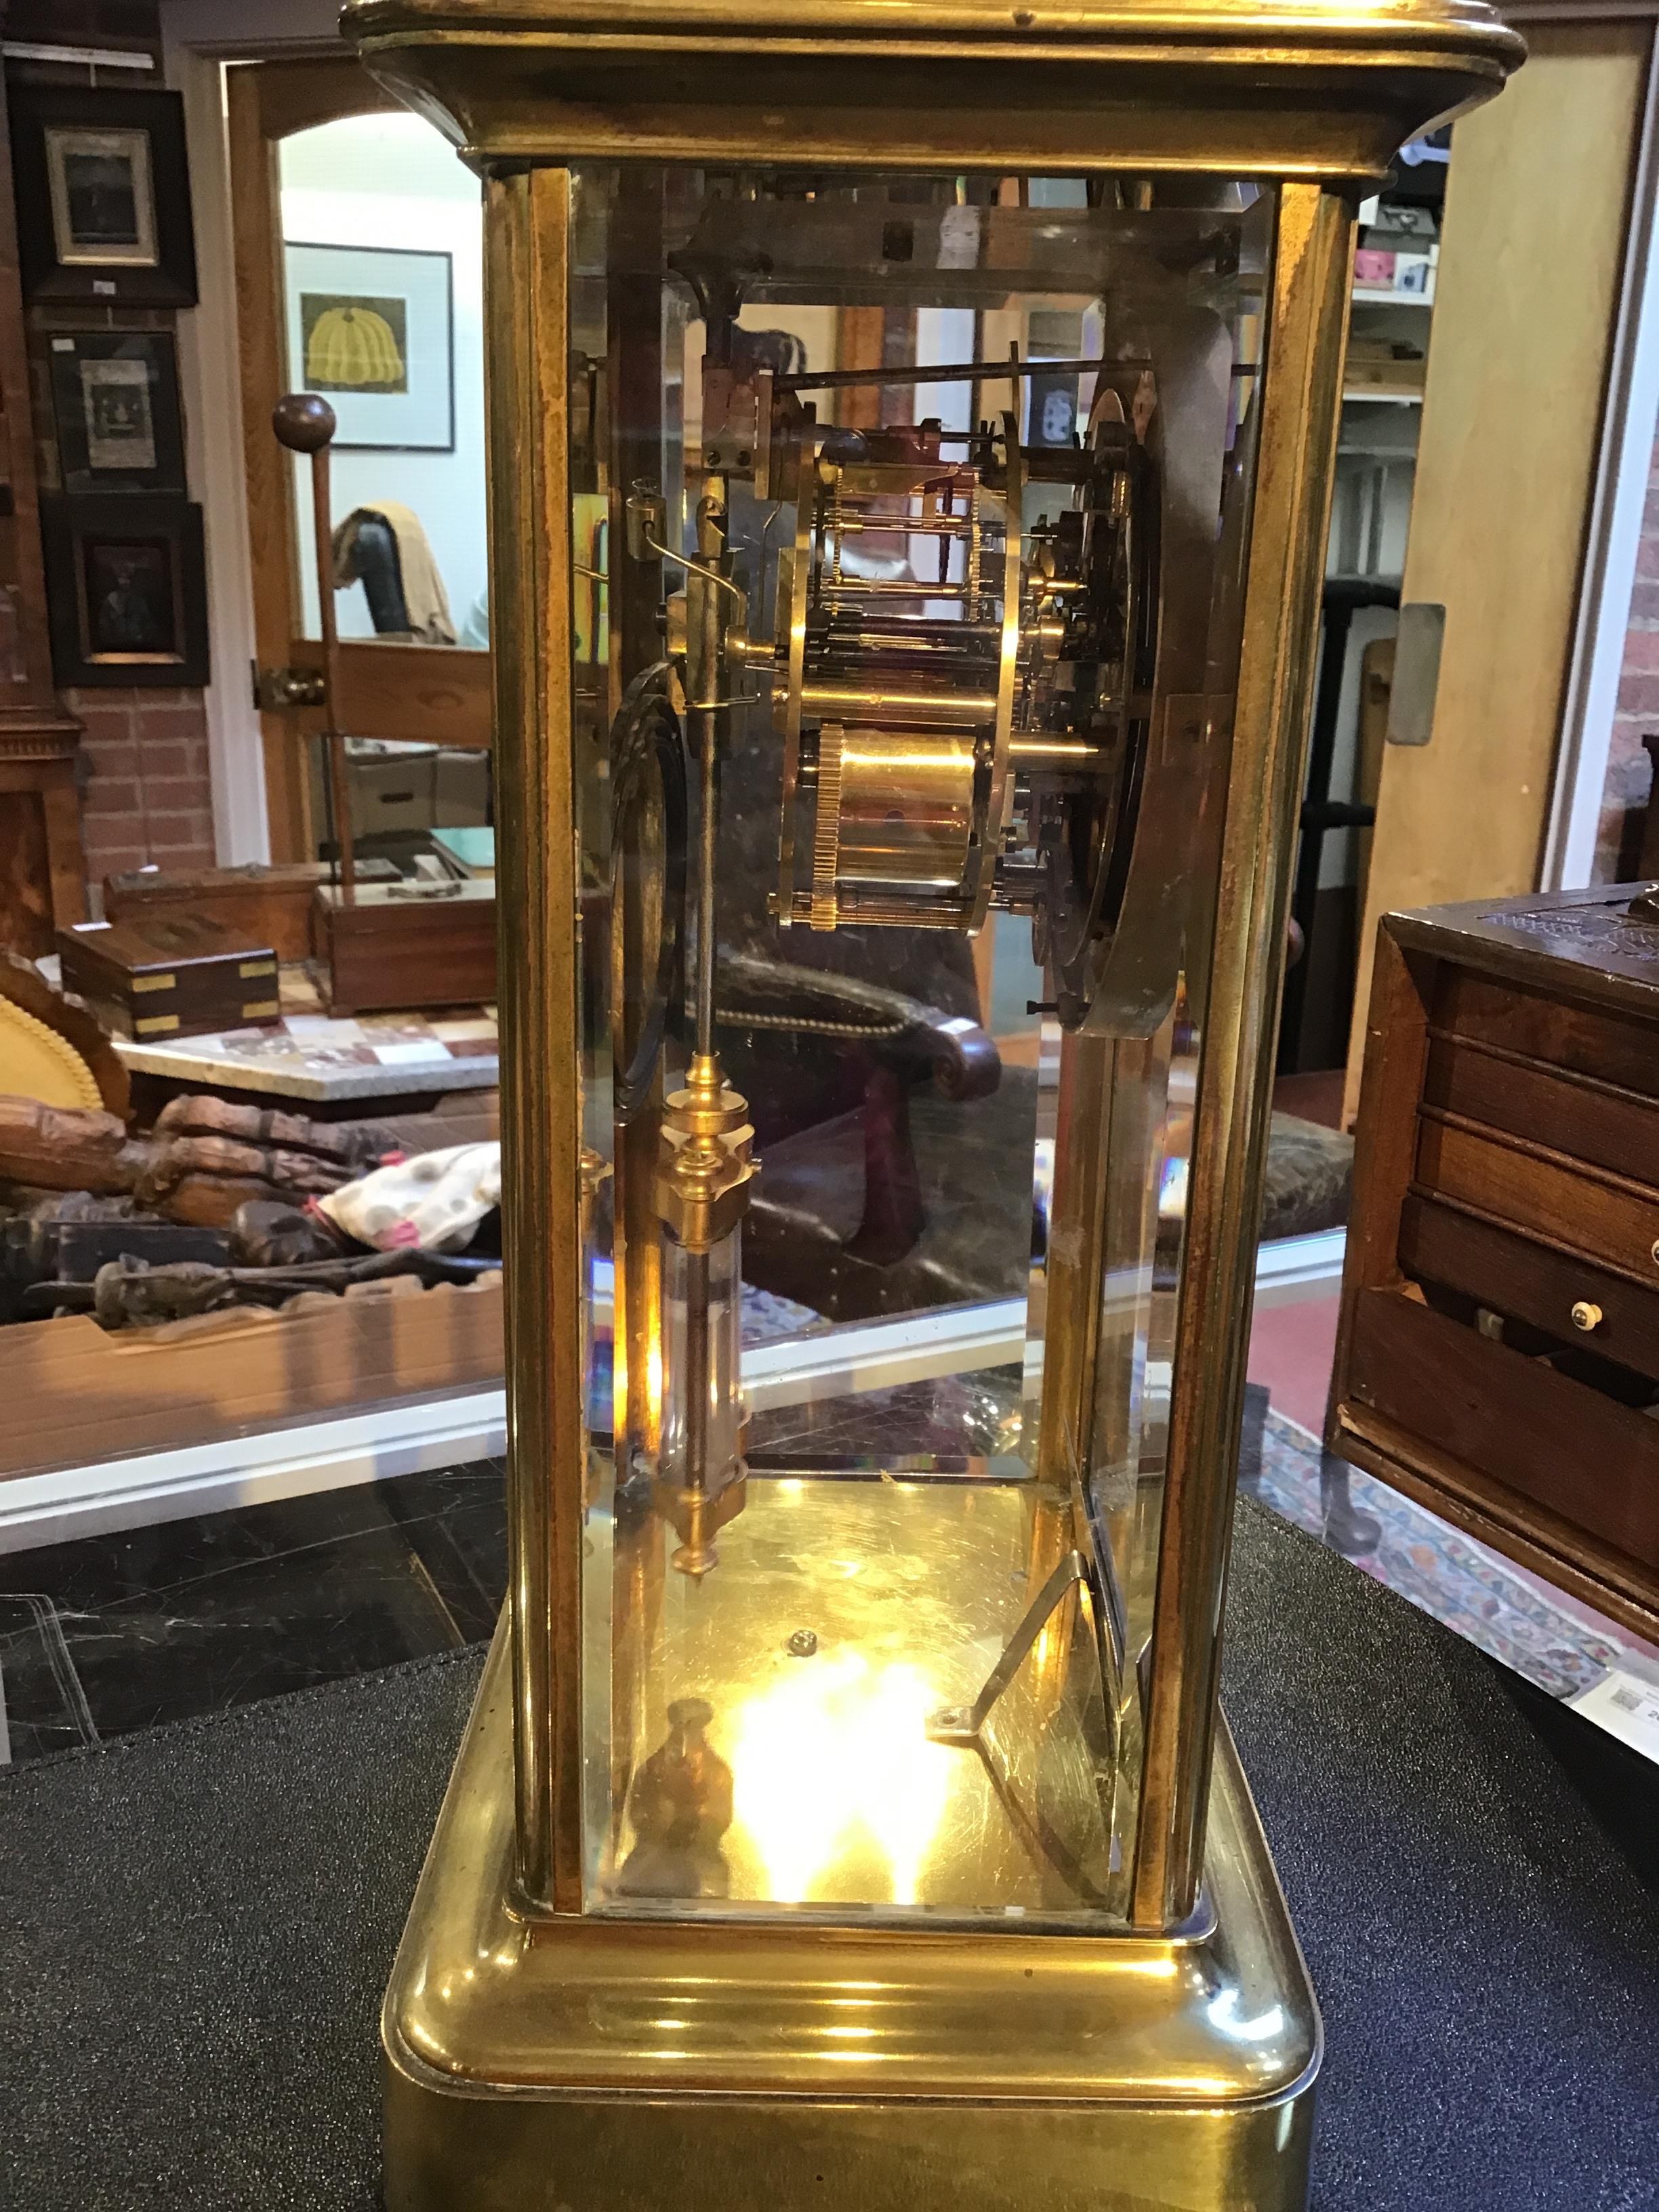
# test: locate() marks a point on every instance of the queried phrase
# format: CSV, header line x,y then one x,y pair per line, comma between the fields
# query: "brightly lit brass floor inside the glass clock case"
x,y
844,1614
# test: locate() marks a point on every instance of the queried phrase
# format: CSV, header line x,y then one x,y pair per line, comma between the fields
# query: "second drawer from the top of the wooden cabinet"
x,y
1569,1114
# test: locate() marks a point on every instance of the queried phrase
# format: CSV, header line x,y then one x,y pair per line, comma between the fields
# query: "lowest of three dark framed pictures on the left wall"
x,y
127,589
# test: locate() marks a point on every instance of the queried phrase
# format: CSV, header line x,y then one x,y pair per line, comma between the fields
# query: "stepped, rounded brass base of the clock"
x,y
603,2065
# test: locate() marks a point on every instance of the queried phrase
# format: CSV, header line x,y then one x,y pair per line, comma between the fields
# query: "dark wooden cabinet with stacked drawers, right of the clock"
x,y
1499,1355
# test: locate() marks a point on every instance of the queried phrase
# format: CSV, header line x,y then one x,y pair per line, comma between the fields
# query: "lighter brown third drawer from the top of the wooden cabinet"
x,y
1592,1213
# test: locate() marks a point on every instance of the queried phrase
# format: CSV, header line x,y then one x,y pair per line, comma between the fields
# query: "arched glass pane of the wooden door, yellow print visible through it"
x,y
384,317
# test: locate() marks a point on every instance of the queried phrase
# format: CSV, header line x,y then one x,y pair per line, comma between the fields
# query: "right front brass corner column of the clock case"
x,y
1302,410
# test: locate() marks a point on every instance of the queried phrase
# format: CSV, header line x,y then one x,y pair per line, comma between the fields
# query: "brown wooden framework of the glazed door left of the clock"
x,y
390,691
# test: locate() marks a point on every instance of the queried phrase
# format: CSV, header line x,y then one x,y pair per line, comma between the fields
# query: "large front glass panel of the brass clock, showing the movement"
x,y
910,530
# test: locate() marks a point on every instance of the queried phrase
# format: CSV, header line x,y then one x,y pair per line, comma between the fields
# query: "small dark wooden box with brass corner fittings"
x,y
169,977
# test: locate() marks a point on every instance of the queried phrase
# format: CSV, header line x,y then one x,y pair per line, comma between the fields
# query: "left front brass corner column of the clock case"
x,y
528,227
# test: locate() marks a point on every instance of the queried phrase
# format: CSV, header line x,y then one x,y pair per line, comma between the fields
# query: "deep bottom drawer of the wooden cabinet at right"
x,y
1512,1419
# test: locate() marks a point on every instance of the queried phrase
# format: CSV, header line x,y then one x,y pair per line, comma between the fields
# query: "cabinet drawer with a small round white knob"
x,y
1527,1282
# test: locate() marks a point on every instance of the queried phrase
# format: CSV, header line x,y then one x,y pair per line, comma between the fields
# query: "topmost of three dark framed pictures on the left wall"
x,y
103,196
